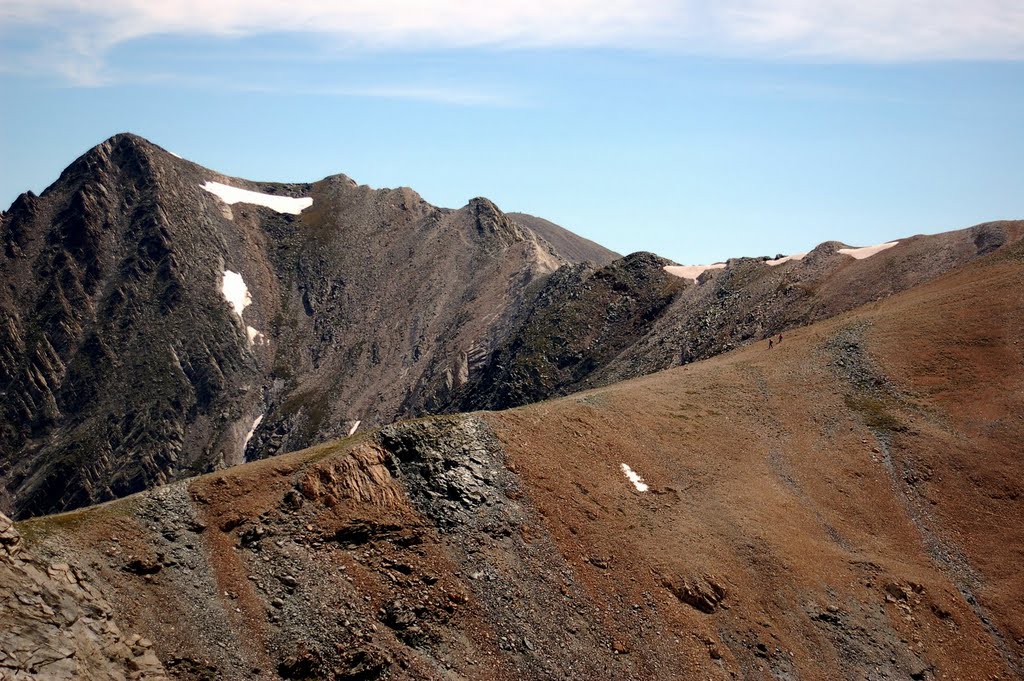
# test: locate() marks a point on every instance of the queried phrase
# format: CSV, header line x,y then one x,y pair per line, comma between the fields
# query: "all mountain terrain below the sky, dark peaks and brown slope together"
x,y
242,438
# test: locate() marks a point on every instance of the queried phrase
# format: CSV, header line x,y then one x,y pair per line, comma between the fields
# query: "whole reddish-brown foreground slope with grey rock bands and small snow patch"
x,y
846,505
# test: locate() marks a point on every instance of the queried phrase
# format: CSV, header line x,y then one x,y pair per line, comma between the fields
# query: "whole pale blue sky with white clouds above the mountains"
x,y
698,132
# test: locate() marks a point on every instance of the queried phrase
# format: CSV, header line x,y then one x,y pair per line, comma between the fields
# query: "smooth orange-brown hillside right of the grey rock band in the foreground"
x,y
763,478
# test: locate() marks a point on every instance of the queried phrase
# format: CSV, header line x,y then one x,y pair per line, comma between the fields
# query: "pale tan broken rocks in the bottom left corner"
x,y
55,625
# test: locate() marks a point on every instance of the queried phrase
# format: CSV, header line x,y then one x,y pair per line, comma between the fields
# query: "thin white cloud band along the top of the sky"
x,y
79,34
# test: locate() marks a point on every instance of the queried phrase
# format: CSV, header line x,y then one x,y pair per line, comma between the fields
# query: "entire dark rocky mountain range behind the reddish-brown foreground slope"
x,y
150,331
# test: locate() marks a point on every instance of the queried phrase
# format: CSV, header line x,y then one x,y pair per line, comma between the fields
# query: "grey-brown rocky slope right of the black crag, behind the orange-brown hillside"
x,y
751,301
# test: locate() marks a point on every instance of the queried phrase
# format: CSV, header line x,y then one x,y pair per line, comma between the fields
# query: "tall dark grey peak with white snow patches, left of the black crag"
x,y
155,324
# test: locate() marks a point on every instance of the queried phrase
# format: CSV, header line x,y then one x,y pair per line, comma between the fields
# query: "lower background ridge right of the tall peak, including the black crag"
x,y
592,327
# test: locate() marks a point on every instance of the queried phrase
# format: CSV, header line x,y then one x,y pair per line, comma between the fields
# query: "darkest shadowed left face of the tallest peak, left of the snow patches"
x,y
116,340
